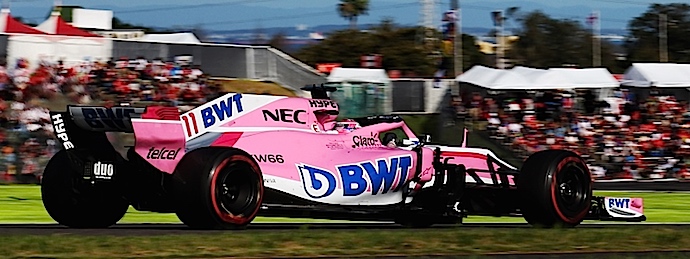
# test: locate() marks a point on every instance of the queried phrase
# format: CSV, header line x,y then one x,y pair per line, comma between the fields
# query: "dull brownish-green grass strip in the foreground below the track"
x,y
348,243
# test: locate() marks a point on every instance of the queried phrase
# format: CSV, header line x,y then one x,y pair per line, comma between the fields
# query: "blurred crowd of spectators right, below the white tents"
x,y
622,136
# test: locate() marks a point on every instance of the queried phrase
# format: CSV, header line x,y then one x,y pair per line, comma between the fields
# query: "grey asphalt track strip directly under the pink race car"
x,y
166,229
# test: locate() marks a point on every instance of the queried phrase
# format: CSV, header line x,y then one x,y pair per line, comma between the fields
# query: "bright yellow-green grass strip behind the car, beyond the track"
x,y
22,204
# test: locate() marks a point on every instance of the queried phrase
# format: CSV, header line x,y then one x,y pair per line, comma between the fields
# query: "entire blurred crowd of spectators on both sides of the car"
x,y
620,136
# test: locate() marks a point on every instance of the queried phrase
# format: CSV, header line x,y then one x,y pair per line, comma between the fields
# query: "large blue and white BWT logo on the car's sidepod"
x,y
357,178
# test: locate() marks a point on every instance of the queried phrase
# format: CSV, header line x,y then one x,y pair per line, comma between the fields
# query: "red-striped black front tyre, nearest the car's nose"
x,y
555,188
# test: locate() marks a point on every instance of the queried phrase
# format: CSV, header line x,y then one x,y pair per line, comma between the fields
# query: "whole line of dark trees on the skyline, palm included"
x,y
543,41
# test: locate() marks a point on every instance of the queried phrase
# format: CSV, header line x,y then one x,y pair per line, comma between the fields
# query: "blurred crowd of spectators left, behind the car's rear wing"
x,y
26,135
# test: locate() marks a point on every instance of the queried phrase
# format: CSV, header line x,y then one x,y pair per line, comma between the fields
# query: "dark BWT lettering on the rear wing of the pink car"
x,y
104,118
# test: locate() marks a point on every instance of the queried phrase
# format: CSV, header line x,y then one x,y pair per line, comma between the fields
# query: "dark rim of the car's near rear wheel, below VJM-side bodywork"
x,y
236,189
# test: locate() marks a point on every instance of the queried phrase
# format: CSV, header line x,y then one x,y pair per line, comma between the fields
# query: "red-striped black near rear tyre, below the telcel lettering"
x,y
218,188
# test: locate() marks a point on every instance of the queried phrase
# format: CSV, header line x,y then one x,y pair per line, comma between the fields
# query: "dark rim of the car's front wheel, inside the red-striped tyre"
x,y
571,192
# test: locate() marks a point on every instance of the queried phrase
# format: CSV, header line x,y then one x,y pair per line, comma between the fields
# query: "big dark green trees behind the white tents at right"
x,y
548,42
